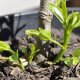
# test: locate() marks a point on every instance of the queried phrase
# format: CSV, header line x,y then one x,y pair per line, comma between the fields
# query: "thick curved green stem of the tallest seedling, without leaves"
x,y
65,45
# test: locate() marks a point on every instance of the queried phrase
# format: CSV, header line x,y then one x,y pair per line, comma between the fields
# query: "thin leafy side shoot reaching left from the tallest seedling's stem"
x,y
44,35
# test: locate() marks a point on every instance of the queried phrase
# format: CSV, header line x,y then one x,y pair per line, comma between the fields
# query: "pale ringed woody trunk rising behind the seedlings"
x,y
45,15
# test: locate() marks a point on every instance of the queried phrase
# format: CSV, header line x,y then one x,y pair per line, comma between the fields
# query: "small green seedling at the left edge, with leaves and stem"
x,y
14,55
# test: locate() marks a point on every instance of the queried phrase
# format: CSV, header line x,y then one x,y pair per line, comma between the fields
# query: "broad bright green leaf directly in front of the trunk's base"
x,y
45,35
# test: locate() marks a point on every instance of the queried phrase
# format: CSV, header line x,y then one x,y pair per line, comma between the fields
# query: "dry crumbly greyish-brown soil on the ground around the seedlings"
x,y
42,70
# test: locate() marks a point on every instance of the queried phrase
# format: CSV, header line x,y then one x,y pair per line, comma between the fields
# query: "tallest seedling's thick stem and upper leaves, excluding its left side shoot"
x,y
69,22
